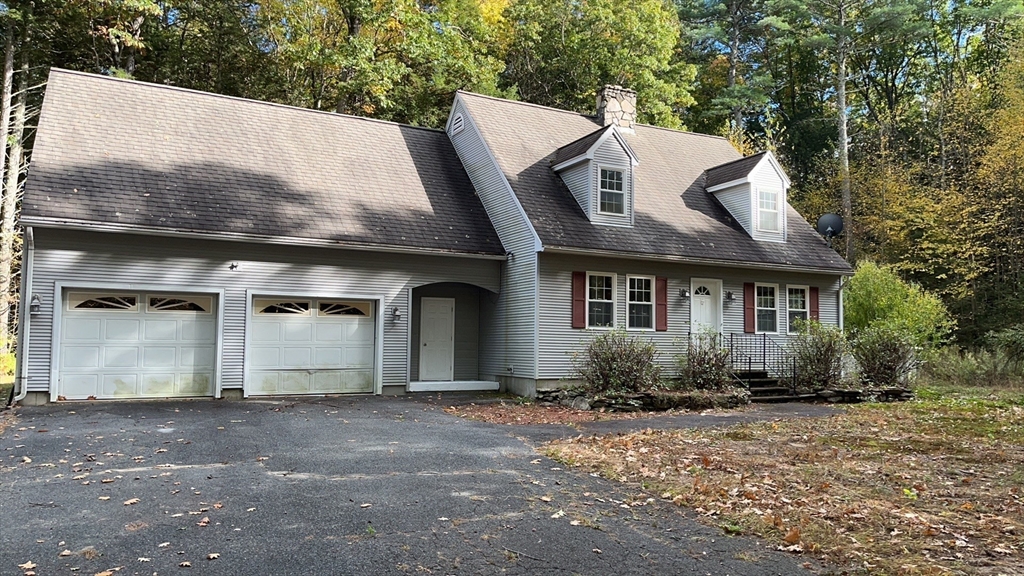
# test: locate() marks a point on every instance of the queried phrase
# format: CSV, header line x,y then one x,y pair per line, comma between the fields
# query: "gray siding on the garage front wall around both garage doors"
x,y
83,260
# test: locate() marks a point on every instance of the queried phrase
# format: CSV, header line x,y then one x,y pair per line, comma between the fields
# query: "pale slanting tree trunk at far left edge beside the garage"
x,y
12,189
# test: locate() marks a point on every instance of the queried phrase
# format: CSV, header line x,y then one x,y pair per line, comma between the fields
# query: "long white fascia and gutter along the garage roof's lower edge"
x,y
63,224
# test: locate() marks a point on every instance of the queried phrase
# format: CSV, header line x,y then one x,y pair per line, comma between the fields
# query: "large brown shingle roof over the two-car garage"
x,y
145,156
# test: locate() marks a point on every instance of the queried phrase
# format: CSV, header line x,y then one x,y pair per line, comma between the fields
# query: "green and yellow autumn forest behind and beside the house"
x,y
905,116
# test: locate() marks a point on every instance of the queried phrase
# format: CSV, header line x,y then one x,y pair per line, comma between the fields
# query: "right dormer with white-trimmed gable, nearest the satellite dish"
x,y
754,191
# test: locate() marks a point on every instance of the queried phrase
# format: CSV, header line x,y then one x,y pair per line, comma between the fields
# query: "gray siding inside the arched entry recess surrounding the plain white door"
x,y
467,328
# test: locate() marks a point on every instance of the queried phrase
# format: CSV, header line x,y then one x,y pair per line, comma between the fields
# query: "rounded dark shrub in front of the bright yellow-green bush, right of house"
x,y
886,357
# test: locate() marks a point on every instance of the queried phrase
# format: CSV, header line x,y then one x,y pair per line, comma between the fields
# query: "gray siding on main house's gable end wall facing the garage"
x,y
508,323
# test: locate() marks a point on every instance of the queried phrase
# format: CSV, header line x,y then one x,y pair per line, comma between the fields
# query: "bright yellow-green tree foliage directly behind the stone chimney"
x,y
561,53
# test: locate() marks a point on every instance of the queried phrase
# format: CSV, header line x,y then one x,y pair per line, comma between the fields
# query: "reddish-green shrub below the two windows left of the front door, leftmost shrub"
x,y
615,361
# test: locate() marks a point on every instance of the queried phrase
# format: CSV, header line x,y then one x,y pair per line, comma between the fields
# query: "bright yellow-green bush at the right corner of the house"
x,y
876,297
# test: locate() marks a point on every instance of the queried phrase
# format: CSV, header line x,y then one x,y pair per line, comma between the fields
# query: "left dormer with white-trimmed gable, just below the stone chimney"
x,y
599,171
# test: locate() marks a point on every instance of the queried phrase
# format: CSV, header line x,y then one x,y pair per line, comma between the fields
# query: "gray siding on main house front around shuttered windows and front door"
x,y
559,341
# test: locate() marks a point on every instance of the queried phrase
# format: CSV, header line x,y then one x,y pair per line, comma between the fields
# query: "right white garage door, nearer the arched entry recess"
x,y
312,347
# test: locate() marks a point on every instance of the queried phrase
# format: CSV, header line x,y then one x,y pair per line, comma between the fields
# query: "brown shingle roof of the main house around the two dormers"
x,y
674,215
